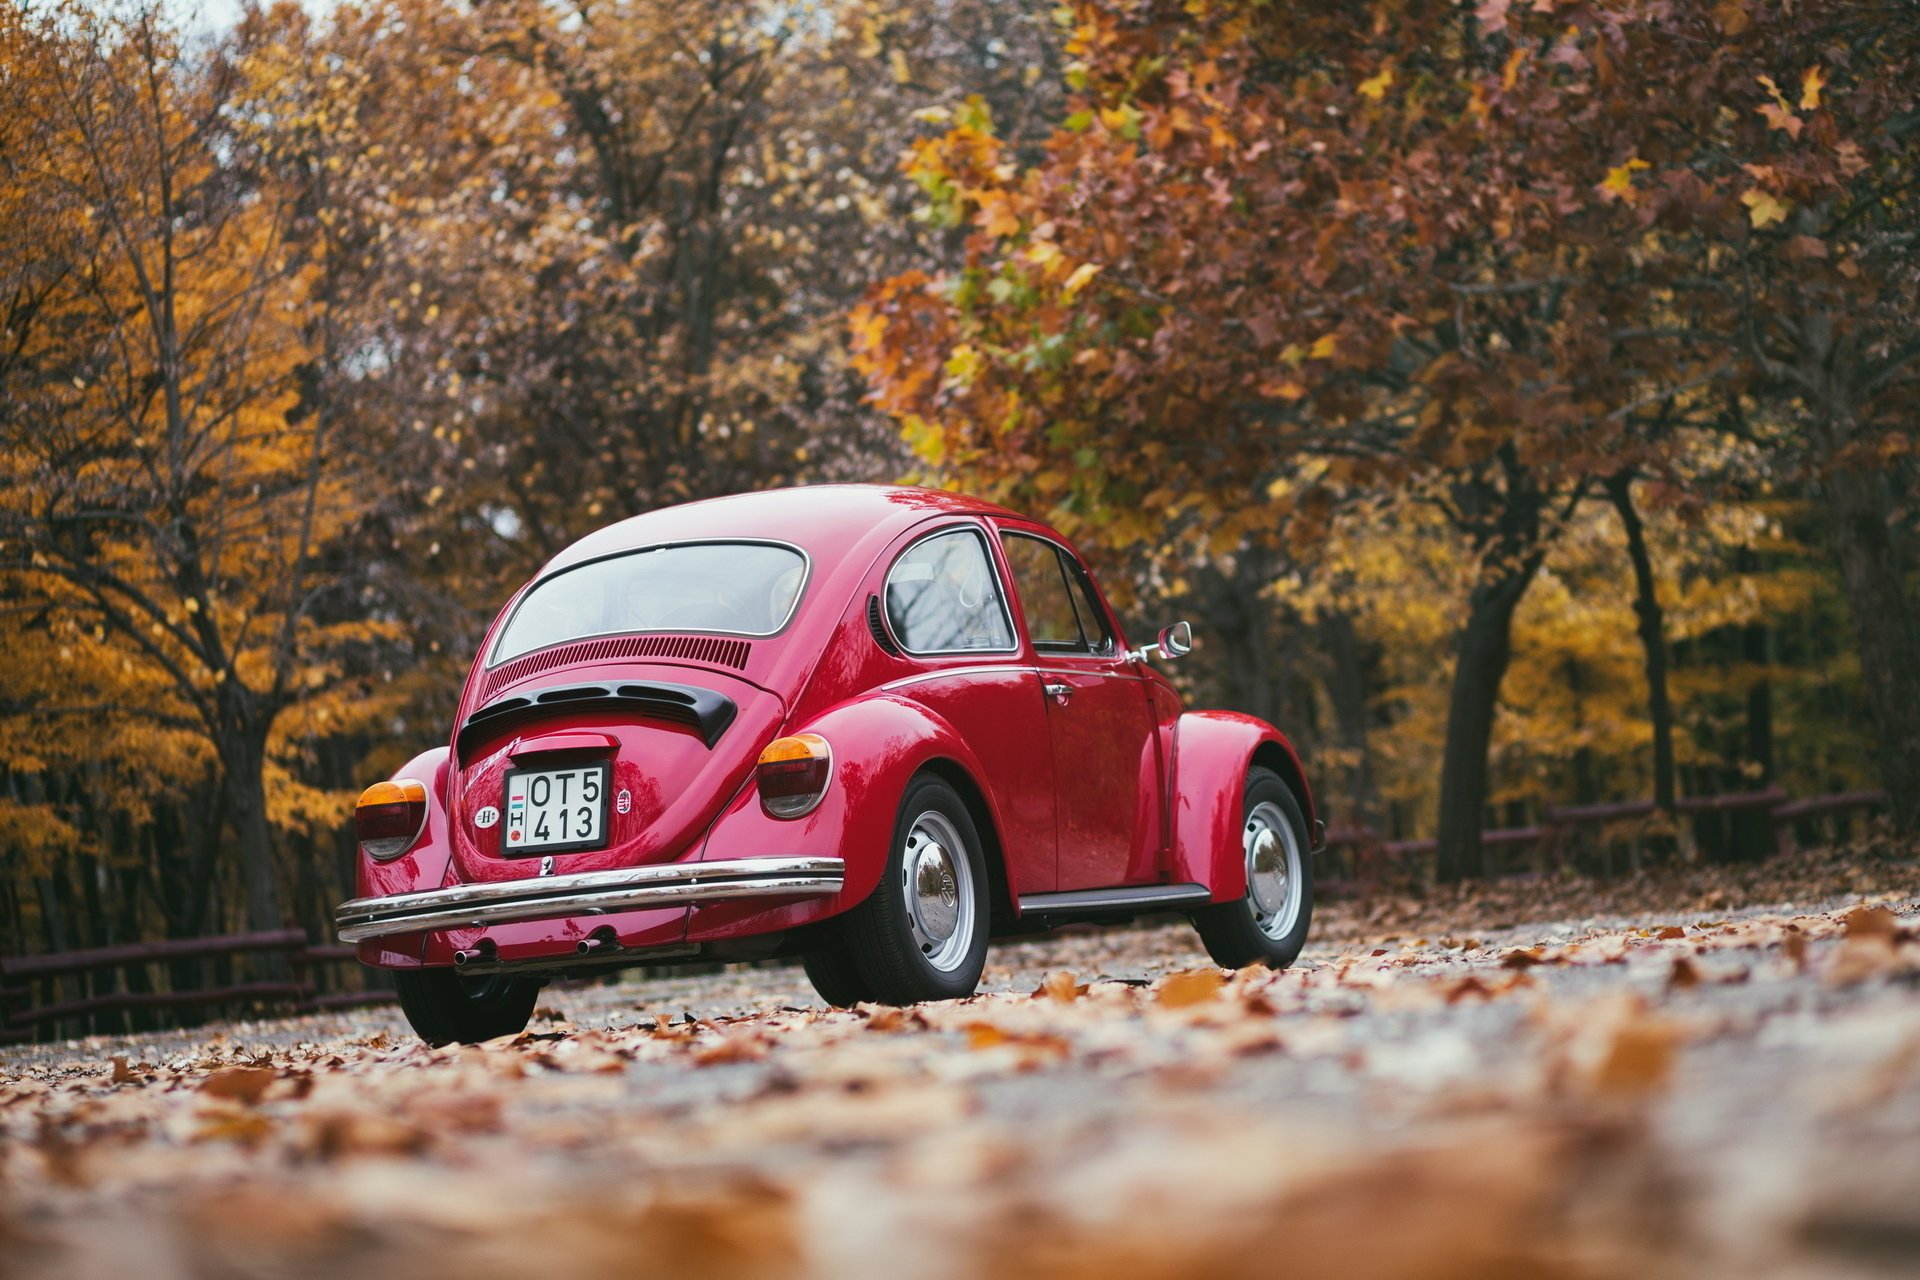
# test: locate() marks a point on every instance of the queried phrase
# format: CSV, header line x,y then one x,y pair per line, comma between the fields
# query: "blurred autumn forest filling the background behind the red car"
x,y
1520,398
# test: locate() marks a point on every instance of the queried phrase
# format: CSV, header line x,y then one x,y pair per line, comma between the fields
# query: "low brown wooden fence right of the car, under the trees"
x,y
1577,832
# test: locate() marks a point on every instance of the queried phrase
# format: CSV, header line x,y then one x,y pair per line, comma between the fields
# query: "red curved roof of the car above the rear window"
x,y
823,519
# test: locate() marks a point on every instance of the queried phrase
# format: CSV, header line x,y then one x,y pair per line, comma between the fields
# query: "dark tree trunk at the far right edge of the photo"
x,y
1886,632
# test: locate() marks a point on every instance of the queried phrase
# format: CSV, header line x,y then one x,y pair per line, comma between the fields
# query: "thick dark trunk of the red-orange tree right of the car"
x,y
1483,652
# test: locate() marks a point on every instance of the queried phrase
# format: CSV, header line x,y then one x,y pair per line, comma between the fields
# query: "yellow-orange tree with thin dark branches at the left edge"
x,y
170,504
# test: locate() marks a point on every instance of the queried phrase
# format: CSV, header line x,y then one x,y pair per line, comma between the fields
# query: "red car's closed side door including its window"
x,y
1099,719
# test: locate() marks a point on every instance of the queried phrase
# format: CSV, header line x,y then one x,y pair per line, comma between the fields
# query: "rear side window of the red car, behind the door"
x,y
944,598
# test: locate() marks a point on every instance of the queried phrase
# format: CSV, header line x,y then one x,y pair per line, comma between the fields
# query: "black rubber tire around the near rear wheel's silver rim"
x,y
882,951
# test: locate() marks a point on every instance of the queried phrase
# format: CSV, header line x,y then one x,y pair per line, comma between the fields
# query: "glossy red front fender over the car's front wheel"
x,y
1212,753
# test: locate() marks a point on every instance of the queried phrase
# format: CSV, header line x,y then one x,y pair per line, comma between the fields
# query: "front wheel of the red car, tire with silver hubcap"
x,y
1270,924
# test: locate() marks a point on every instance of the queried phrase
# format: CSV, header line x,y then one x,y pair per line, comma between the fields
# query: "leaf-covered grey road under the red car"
x,y
1691,1095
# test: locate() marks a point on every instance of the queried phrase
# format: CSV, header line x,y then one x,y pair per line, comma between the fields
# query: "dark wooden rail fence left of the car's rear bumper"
x,y
114,989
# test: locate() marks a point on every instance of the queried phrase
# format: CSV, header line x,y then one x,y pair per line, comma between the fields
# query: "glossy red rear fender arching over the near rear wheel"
x,y
878,746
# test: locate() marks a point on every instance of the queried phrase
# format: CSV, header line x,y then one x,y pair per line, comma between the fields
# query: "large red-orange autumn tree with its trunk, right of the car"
x,y
1305,254
